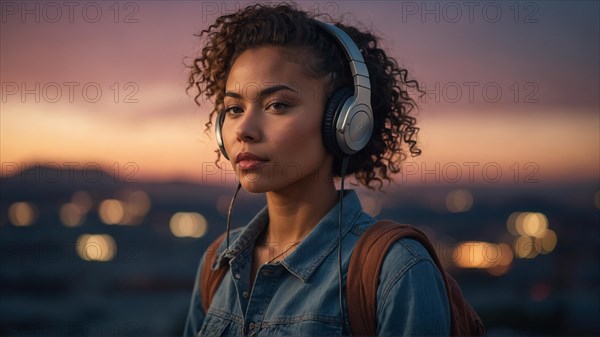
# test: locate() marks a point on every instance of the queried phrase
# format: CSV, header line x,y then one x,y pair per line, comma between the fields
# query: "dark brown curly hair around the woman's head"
x,y
285,25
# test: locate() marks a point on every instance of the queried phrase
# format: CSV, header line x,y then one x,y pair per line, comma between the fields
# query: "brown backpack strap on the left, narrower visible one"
x,y
211,279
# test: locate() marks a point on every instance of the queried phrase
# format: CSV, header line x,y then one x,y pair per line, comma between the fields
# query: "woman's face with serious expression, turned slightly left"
x,y
272,128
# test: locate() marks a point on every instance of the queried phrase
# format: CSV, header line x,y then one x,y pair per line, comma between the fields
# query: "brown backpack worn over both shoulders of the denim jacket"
x,y
363,279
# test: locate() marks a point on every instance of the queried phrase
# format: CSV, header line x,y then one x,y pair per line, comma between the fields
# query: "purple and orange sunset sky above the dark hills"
x,y
513,85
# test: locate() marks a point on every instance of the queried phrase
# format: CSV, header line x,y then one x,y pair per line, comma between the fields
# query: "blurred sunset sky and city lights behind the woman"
x,y
109,191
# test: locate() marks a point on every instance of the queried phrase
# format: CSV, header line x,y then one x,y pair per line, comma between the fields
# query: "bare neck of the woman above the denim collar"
x,y
293,214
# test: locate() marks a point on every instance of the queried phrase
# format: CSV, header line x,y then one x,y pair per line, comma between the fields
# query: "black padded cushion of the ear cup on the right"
x,y
330,117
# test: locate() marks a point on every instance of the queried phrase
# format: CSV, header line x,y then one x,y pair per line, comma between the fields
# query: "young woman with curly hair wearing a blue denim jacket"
x,y
271,72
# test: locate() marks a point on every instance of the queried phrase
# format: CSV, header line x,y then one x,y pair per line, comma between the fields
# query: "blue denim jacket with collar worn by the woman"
x,y
299,295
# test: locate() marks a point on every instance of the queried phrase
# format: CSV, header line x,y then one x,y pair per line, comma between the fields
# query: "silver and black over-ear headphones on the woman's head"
x,y
348,117
